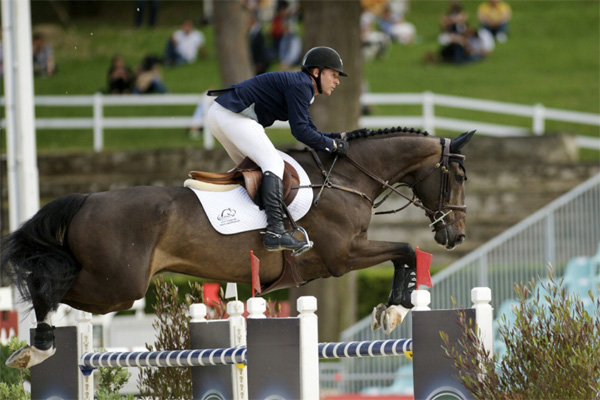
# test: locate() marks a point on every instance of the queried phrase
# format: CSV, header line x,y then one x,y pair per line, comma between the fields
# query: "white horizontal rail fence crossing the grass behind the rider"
x,y
427,120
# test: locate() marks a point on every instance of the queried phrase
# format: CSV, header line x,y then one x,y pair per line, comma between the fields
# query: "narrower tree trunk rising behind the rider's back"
x,y
231,23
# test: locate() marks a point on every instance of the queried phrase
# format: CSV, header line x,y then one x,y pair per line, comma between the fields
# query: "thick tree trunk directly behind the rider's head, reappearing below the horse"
x,y
335,24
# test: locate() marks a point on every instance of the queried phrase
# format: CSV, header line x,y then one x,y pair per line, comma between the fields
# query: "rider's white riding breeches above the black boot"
x,y
243,137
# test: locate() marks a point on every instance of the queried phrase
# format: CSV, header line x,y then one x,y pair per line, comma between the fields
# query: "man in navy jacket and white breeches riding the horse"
x,y
239,115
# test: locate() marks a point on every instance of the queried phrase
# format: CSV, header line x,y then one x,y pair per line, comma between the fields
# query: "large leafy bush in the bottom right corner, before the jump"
x,y
552,349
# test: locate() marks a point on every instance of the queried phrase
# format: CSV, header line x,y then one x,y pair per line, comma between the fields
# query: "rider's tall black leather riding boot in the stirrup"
x,y
276,237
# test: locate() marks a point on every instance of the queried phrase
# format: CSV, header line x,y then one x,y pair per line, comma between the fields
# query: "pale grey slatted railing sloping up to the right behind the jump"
x,y
566,228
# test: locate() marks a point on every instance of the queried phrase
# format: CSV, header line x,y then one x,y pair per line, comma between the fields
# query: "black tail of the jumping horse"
x,y
37,257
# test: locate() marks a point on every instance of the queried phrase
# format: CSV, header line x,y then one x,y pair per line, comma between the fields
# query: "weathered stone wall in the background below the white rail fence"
x,y
508,179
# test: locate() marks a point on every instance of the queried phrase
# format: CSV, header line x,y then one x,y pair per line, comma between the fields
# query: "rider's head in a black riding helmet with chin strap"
x,y
324,64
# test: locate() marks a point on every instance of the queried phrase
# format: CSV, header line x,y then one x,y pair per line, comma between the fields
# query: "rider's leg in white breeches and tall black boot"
x,y
241,137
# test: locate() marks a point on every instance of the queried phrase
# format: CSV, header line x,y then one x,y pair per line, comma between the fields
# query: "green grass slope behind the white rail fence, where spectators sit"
x,y
552,57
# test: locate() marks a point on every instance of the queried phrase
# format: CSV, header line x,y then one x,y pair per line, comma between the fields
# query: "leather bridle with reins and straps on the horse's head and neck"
x,y
437,216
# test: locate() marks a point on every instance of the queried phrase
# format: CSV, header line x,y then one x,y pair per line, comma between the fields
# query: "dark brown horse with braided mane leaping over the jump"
x,y
98,252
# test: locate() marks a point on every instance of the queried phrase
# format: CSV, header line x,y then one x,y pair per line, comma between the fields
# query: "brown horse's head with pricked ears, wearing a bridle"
x,y
442,193
